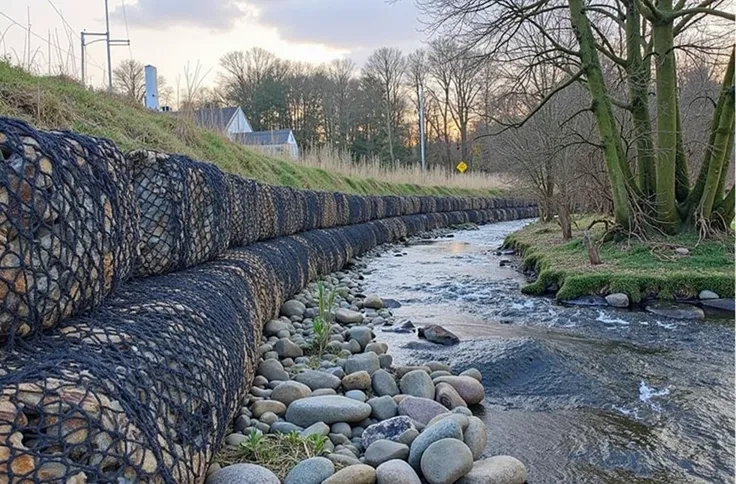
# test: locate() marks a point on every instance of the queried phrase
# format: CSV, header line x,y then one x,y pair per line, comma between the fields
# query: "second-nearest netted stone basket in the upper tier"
x,y
185,211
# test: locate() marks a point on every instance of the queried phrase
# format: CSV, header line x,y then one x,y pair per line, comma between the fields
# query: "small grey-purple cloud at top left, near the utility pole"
x,y
212,14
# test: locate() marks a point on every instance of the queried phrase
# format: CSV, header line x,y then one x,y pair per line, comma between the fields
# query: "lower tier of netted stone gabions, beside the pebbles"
x,y
143,388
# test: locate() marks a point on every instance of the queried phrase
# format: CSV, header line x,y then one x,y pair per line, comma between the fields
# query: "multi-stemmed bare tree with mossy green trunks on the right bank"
x,y
639,39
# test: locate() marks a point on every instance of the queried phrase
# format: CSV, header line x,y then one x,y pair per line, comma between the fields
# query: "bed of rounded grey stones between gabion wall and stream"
x,y
384,423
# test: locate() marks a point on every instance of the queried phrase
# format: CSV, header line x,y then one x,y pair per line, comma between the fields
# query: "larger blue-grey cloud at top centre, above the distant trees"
x,y
341,24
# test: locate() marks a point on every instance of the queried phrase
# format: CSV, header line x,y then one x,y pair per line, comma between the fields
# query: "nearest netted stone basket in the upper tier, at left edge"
x,y
68,225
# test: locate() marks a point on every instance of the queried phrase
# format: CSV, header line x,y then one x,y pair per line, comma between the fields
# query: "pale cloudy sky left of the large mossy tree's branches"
x,y
173,33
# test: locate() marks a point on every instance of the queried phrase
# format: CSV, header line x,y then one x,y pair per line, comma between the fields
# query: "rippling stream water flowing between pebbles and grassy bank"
x,y
580,395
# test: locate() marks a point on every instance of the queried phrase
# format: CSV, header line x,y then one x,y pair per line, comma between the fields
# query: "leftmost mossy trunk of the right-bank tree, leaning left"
x,y
601,105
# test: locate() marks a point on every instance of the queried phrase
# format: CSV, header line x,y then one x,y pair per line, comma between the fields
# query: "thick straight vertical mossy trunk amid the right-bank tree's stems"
x,y
662,33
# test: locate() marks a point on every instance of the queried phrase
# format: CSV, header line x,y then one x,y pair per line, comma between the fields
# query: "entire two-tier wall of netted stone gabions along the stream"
x,y
139,384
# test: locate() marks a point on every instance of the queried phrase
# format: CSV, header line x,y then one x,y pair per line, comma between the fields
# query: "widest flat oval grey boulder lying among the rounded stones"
x,y
328,409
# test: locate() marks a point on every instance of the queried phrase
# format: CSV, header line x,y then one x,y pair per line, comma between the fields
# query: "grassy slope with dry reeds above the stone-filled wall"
x,y
55,103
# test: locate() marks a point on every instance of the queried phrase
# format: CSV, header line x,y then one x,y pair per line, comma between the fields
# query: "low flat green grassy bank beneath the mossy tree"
x,y
634,267
